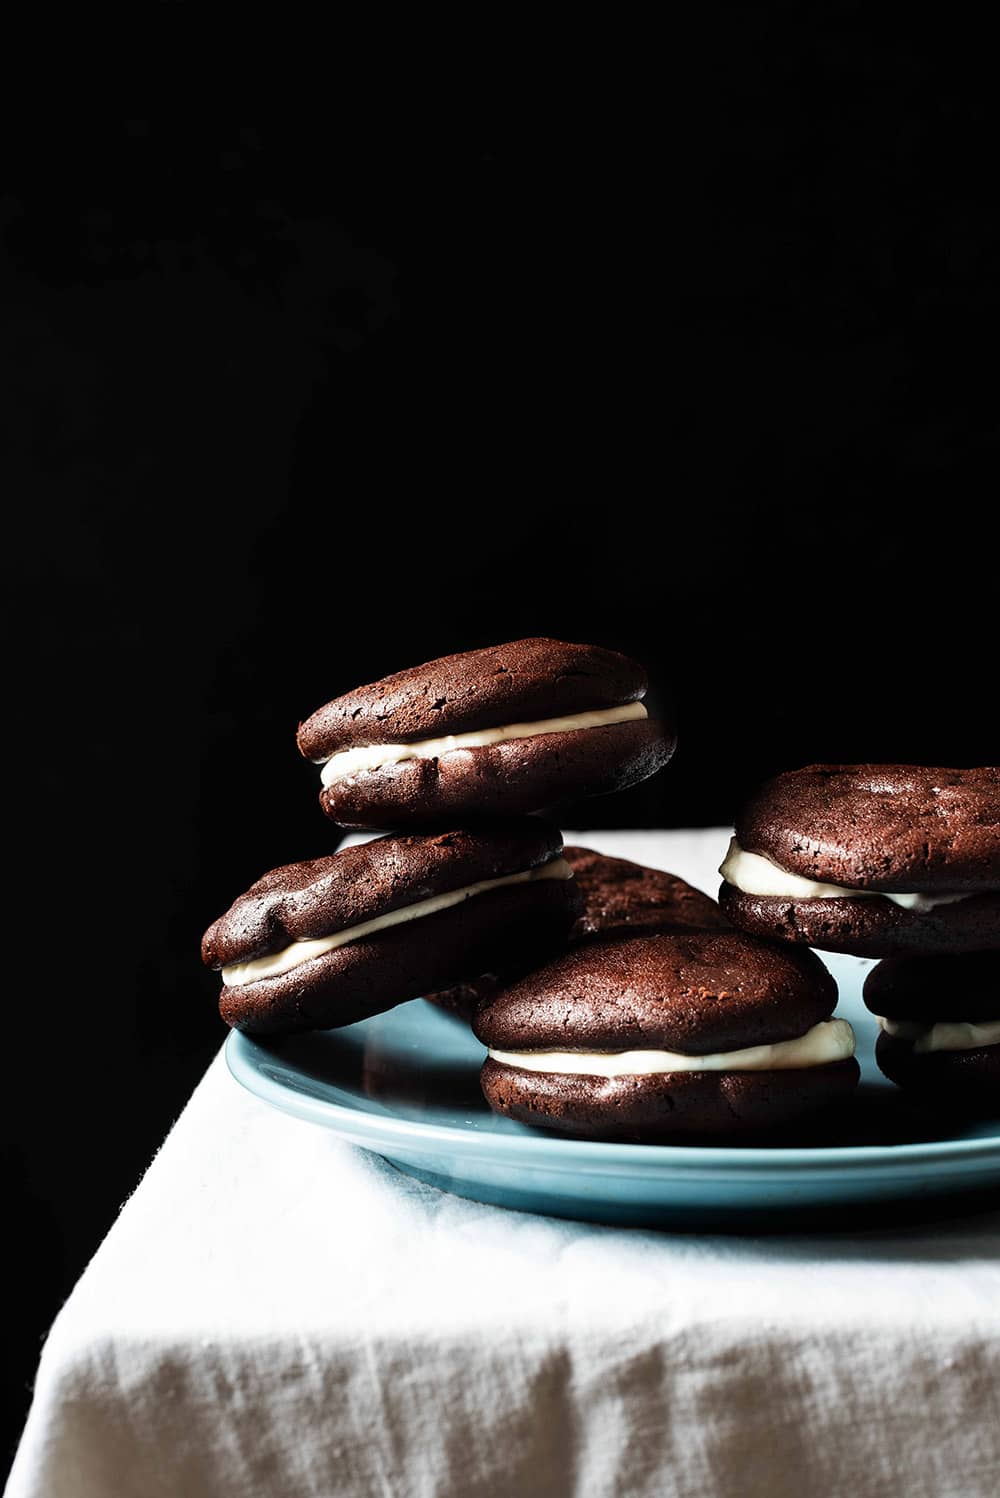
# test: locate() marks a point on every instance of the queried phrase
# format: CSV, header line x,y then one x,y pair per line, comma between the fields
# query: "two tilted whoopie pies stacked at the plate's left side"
x,y
456,754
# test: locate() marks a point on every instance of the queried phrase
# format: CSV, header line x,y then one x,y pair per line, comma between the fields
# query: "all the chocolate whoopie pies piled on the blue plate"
x,y
618,1001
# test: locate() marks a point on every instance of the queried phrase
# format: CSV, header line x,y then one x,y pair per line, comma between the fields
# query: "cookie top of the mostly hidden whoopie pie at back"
x,y
628,898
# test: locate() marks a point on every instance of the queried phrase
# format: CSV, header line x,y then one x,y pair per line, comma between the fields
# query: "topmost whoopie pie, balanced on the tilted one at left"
x,y
511,729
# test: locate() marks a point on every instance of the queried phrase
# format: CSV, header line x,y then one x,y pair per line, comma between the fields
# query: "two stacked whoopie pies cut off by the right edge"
x,y
900,864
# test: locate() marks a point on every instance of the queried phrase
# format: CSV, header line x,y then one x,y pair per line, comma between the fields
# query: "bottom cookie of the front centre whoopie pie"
x,y
665,1108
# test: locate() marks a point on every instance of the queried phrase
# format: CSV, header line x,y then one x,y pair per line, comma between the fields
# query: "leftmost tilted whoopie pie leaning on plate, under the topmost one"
x,y
335,940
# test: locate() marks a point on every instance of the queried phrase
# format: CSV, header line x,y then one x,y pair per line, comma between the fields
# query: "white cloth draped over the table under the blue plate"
x,y
276,1313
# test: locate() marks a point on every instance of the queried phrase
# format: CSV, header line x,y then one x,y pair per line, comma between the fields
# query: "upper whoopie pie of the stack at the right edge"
x,y
875,861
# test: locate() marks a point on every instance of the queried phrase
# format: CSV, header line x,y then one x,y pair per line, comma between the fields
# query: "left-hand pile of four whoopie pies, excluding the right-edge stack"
x,y
616,1001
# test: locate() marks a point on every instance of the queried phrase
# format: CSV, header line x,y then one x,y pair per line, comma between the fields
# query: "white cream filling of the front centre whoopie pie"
x,y
832,1040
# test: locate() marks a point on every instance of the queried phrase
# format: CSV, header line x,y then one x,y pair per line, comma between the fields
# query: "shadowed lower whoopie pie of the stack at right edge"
x,y
941,1027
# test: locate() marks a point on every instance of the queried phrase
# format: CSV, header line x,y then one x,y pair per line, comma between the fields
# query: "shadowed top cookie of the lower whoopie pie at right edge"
x,y
933,989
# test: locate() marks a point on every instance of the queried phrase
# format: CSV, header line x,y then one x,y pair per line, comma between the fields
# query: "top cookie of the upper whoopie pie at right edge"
x,y
879,826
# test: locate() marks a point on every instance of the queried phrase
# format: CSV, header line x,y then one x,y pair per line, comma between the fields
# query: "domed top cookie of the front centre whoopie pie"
x,y
695,992
